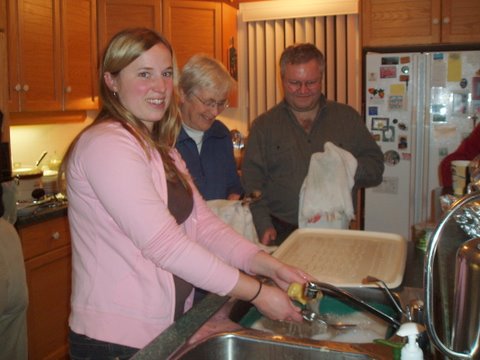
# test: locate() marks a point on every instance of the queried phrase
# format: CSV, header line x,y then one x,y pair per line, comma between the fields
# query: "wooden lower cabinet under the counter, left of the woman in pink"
x,y
47,252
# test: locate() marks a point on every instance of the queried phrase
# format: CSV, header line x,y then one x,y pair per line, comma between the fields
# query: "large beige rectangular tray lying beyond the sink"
x,y
344,257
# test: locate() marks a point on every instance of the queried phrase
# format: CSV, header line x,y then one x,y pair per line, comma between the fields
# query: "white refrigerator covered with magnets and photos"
x,y
418,107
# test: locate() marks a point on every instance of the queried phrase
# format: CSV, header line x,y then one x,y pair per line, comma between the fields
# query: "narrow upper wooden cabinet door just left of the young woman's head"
x,y
79,31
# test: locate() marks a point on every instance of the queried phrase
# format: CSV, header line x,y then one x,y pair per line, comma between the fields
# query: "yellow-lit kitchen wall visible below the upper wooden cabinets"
x,y
29,141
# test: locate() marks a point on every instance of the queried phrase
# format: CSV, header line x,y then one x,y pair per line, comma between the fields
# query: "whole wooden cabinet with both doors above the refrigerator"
x,y
420,22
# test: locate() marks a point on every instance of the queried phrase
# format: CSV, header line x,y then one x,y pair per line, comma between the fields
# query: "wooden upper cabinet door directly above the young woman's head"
x,y
116,15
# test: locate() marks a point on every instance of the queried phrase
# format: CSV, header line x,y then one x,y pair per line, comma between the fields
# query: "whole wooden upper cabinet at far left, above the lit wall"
x,y
52,55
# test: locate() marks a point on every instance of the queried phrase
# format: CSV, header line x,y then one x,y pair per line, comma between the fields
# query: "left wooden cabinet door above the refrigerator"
x,y
400,22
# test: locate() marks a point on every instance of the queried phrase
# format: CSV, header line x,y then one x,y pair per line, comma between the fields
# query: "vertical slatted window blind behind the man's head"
x,y
261,43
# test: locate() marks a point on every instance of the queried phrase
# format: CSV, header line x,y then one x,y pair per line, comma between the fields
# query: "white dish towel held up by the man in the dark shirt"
x,y
325,195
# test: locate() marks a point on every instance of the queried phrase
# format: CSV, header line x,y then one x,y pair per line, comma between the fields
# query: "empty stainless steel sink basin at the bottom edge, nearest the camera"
x,y
249,344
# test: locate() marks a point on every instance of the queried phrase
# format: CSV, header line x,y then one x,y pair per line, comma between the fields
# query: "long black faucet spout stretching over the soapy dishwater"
x,y
312,289
